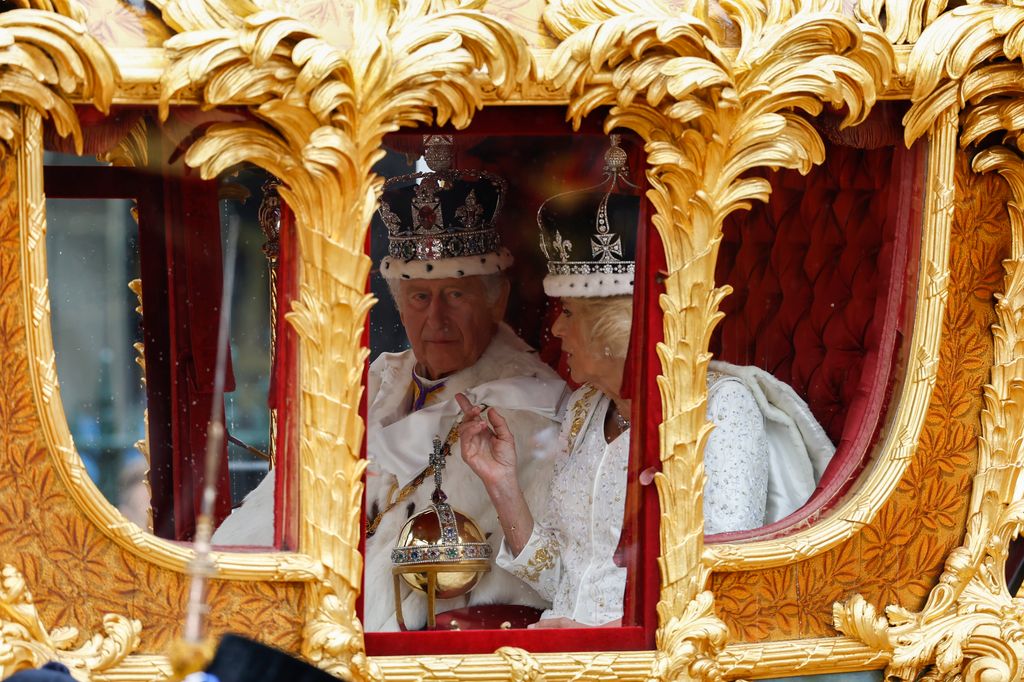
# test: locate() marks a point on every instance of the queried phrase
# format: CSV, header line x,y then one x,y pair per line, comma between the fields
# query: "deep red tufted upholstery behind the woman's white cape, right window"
x,y
819,278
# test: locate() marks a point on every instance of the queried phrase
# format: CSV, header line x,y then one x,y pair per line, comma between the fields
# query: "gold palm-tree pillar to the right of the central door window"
x,y
708,116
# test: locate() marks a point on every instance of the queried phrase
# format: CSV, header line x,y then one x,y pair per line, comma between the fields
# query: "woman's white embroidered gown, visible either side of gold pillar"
x,y
570,559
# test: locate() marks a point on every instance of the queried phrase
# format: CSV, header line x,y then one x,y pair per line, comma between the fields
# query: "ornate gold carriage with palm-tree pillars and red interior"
x,y
890,126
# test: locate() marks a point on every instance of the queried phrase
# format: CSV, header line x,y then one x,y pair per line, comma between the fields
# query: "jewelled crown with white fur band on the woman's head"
x,y
589,236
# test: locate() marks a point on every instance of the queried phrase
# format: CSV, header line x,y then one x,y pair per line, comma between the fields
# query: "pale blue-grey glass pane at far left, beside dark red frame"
x,y
93,257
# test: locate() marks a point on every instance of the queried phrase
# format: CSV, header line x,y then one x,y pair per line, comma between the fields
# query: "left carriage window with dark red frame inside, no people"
x,y
136,272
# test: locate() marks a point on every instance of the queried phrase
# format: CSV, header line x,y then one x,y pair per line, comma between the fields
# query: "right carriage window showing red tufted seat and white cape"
x,y
822,277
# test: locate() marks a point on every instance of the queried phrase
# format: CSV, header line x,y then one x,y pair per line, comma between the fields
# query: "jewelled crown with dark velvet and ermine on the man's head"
x,y
443,224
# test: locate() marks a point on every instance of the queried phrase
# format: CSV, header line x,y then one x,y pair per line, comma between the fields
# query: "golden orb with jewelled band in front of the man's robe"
x,y
445,543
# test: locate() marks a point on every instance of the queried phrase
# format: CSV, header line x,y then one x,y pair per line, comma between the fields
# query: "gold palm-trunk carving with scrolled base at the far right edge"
x,y
971,624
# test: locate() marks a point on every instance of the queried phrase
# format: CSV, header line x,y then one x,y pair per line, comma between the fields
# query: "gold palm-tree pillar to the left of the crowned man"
x,y
322,115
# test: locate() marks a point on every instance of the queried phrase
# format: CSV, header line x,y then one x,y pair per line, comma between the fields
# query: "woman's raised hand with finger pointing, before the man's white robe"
x,y
489,449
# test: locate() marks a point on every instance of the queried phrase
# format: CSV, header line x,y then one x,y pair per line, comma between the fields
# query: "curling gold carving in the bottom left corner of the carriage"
x,y
25,642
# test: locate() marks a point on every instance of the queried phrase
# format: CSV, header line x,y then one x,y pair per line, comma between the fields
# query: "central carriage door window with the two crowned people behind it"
x,y
494,489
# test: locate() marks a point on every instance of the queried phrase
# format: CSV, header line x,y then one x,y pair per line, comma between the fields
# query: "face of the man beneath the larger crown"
x,y
450,323
